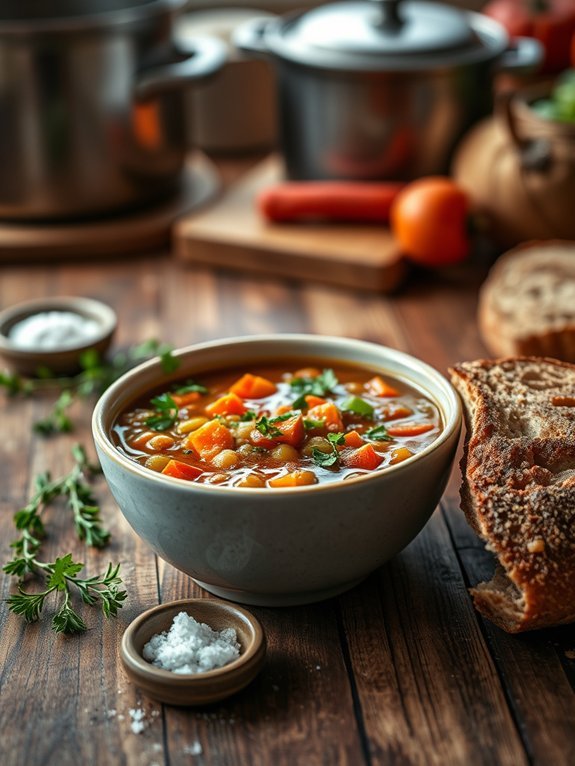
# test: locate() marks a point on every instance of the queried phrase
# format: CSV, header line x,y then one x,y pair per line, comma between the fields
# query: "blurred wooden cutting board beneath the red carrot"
x,y
231,234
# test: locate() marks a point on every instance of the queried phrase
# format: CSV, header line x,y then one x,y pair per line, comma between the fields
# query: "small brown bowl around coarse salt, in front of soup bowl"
x,y
197,688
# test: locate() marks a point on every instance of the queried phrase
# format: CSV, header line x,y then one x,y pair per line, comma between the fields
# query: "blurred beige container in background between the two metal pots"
x,y
235,112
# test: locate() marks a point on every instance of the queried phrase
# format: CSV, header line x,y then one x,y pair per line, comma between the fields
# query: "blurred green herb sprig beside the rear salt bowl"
x,y
95,375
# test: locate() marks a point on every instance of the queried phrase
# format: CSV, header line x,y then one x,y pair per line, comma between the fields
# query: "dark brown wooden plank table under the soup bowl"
x,y
400,670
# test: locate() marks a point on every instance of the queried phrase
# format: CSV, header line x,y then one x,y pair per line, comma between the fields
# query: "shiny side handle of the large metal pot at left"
x,y
204,57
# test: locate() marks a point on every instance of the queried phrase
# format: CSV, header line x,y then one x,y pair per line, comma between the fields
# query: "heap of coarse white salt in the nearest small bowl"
x,y
192,647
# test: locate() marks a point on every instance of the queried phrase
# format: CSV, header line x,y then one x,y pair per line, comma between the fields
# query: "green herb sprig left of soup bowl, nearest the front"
x,y
61,574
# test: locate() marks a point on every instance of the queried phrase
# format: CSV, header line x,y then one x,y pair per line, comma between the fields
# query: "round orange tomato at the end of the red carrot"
x,y
429,219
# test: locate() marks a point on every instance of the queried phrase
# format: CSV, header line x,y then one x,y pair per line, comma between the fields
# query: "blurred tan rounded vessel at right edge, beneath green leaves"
x,y
519,169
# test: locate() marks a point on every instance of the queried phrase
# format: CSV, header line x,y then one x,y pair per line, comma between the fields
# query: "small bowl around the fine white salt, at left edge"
x,y
60,361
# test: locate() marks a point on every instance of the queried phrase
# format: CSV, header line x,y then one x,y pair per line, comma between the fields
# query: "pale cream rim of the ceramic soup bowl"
x,y
452,418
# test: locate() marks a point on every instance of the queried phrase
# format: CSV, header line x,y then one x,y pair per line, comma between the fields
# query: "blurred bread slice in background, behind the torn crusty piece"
x,y
527,303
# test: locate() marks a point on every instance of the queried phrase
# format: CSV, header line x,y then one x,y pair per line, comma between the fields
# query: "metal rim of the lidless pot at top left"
x,y
97,21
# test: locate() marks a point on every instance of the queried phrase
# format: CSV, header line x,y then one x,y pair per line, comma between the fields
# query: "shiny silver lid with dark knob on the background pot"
x,y
386,34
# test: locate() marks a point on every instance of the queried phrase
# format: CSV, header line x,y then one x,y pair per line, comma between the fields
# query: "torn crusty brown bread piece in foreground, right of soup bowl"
x,y
518,489
